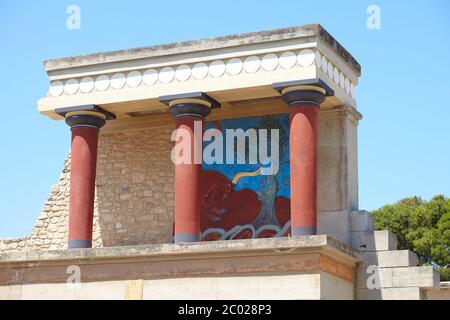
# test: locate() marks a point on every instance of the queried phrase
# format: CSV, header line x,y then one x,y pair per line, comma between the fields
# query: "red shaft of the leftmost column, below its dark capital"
x,y
82,186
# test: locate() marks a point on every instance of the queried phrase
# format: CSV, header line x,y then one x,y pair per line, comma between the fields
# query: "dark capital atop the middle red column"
x,y
196,104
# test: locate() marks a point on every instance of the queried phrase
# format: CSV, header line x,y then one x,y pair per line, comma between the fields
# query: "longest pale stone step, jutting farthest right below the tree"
x,y
375,278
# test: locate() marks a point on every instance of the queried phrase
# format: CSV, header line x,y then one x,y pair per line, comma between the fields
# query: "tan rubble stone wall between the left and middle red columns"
x,y
135,187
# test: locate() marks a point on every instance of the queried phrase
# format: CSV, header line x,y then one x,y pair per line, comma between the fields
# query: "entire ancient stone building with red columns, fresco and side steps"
x,y
131,223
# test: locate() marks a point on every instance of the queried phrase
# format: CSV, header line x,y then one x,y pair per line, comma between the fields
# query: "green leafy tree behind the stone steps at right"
x,y
421,226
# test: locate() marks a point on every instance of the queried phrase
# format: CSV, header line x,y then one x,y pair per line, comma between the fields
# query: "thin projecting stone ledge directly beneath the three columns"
x,y
184,250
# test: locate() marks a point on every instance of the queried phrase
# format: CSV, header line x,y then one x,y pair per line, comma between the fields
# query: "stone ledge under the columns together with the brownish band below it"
x,y
304,255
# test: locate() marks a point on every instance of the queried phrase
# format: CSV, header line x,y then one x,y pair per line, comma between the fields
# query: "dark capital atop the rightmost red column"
x,y
304,91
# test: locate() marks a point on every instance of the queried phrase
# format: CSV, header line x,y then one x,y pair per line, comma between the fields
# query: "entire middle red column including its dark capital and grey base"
x,y
189,110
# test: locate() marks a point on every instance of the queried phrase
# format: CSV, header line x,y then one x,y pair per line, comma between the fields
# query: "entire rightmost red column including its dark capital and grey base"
x,y
304,98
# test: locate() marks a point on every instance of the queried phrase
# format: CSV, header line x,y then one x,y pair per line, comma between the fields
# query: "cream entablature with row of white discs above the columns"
x,y
129,83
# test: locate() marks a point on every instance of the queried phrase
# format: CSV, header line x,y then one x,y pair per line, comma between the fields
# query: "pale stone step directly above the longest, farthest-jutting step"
x,y
389,259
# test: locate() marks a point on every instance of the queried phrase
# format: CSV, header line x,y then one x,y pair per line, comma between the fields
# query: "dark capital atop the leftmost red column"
x,y
90,116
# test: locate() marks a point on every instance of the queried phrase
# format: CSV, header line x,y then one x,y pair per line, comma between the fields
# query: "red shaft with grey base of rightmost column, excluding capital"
x,y
303,163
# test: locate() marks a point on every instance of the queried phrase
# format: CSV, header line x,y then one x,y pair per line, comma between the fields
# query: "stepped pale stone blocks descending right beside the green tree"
x,y
385,272
